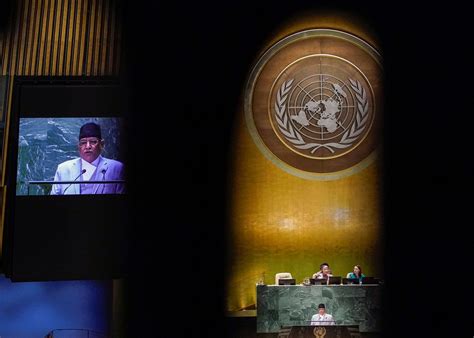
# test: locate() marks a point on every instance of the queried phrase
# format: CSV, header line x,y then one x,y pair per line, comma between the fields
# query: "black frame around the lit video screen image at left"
x,y
68,247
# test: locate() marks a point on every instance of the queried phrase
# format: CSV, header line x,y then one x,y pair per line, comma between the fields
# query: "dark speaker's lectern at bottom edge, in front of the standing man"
x,y
326,331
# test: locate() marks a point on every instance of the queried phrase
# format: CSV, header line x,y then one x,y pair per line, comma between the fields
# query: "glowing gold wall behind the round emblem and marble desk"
x,y
282,223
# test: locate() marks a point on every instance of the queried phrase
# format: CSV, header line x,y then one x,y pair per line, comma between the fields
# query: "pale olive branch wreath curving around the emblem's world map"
x,y
349,137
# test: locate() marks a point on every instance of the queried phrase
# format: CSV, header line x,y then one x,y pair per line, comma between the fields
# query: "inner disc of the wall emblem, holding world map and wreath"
x,y
322,109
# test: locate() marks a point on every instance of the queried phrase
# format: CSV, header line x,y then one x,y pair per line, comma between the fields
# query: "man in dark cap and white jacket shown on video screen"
x,y
91,166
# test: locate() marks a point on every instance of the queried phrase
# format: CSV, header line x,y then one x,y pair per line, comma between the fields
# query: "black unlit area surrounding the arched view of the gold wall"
x,y
186,65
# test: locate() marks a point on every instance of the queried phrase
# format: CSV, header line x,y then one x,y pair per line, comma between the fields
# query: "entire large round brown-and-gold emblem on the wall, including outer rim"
x,y
313,104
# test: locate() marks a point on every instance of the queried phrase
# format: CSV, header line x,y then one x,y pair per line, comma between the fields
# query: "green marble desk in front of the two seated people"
x,y
293,305
